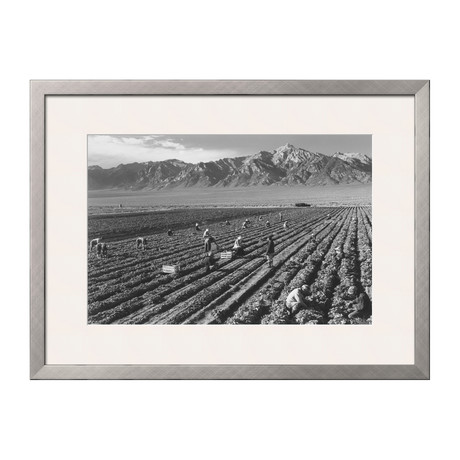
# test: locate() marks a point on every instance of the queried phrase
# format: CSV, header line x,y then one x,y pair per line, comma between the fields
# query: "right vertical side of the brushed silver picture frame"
x,y
422,230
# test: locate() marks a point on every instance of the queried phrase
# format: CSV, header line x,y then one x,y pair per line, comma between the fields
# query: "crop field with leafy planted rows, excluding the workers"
x,y
327,248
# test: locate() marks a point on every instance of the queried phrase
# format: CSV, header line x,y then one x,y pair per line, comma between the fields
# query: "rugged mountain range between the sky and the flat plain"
x,y
286,165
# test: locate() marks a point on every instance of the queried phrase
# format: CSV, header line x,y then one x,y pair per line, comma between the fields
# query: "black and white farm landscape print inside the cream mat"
x,y
230,229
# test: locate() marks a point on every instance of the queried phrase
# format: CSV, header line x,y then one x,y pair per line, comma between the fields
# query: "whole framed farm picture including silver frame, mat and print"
x,y
230,229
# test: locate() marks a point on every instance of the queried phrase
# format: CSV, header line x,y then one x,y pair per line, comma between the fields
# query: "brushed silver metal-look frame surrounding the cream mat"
x,y
40,89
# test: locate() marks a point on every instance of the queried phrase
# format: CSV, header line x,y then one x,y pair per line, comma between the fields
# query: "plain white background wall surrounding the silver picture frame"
x,y
235,40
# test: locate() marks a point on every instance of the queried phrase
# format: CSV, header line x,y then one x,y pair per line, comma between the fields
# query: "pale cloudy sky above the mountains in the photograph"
x,y
111,150
